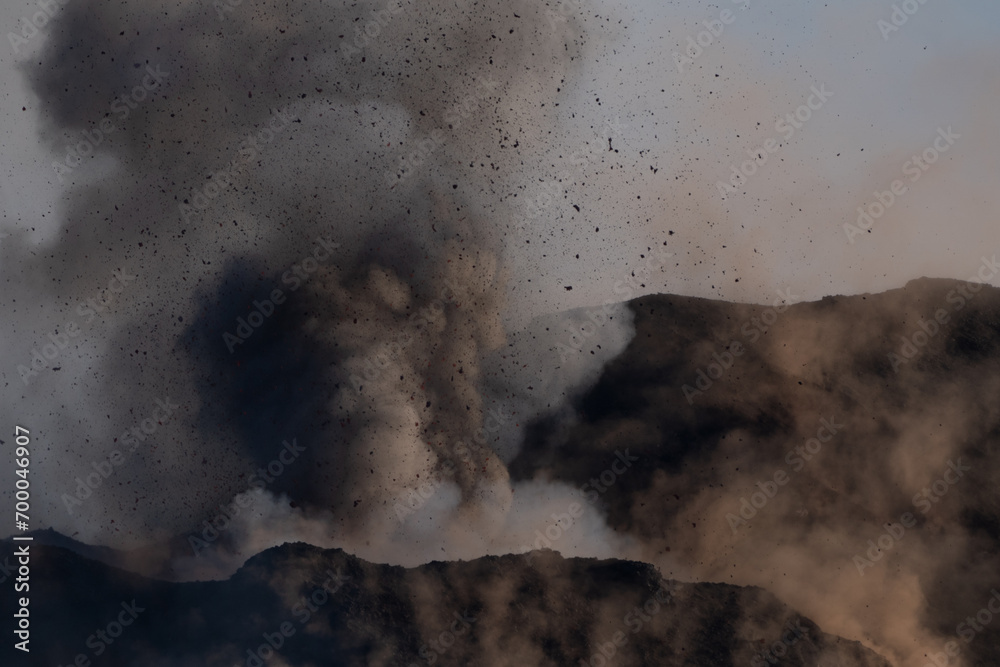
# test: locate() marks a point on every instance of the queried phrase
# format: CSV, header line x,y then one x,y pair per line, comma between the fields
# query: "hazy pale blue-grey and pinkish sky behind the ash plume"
x,y
889,98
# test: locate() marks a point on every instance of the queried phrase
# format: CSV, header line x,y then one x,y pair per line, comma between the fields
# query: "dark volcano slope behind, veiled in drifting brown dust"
x,y
840,453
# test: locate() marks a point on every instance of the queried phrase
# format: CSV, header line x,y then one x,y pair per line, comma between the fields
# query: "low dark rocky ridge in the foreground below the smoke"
x,y
547,611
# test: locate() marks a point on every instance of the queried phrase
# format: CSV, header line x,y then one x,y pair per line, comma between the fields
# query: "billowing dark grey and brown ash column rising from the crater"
x,y
288,226
